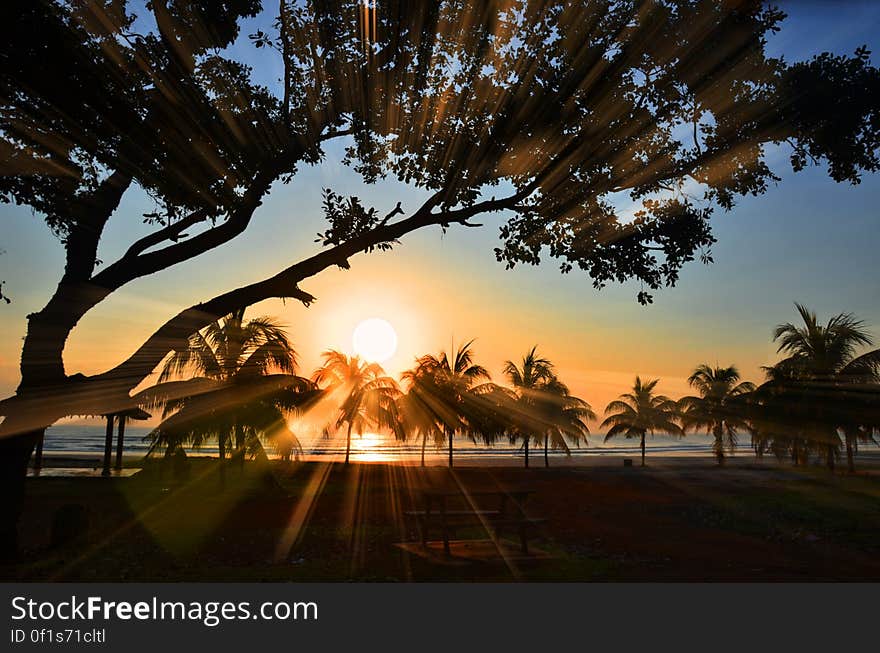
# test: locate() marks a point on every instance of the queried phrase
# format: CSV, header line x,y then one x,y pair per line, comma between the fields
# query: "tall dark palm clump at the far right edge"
x,y
822,379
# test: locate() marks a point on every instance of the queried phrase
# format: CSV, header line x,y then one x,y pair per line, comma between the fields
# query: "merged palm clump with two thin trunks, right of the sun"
x,y
544,409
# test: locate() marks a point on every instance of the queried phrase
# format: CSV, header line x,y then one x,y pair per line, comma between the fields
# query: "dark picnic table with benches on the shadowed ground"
x,y
496,510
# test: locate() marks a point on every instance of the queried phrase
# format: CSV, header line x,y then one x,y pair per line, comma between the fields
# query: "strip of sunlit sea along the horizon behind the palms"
x,y
89,439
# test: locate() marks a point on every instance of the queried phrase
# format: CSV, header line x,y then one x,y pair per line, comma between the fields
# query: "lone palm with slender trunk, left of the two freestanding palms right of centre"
x,y
637,413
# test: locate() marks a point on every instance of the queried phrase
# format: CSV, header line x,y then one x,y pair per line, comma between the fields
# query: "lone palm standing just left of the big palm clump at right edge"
x,y
719,408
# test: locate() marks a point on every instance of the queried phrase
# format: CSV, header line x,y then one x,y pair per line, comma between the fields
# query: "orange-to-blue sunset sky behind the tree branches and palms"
x,y
808,240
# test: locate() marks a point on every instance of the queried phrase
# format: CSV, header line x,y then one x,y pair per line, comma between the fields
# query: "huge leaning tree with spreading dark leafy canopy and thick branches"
x,y
549,112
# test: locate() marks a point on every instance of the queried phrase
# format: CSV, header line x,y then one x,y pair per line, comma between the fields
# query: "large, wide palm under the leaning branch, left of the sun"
x,y
233,396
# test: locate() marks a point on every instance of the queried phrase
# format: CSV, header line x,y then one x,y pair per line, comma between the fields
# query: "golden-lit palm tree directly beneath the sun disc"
x,y
367,395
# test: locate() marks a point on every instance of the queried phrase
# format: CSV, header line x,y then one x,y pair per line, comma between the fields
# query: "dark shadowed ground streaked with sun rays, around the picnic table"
x,y
319,522
